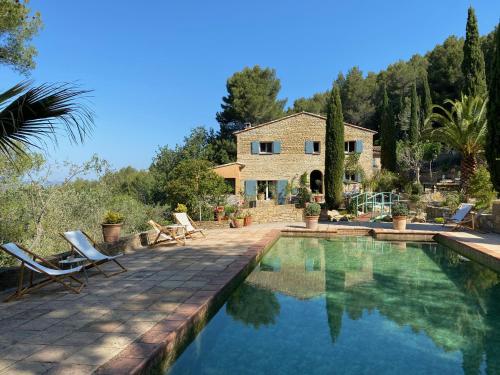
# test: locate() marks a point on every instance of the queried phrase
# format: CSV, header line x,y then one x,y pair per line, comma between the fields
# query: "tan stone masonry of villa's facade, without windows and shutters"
x,y
292,161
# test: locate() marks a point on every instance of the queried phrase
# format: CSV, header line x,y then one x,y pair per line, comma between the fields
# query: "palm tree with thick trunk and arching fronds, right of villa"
x,y
463,128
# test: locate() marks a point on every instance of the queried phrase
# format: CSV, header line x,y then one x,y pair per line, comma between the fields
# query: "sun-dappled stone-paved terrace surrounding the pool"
x,y
116,325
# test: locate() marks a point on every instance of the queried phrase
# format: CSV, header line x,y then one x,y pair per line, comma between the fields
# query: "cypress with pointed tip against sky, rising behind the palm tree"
x,y
473,62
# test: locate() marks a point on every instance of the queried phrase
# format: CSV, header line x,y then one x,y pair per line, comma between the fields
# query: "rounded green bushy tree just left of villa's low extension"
x,y
194,183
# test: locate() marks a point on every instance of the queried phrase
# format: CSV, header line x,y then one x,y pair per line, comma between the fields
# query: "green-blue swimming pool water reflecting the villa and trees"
x,y
354,305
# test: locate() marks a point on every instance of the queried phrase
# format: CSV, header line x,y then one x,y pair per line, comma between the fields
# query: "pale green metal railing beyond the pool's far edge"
x,y
378,204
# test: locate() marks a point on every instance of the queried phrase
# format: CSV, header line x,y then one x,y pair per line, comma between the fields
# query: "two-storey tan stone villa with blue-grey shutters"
x,y
270,155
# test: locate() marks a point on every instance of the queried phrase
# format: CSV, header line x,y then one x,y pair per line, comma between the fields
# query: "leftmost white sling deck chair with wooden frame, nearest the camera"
x,y
51,272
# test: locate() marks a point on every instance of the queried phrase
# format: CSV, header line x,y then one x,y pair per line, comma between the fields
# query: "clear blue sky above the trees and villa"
x,y
159,68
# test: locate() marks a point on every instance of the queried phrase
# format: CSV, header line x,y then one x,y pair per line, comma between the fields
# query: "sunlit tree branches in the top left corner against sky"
x,y
17,27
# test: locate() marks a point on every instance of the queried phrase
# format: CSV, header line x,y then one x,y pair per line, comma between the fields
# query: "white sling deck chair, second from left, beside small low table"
x,y
84,245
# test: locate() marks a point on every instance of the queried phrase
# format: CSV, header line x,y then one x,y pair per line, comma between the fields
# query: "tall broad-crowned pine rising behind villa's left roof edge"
x,y
252,97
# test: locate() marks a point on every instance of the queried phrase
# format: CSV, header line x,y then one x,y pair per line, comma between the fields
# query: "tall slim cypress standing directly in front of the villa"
x,y
334,151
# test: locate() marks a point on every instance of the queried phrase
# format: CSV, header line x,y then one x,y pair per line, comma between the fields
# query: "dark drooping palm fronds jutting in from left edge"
x,y
30,115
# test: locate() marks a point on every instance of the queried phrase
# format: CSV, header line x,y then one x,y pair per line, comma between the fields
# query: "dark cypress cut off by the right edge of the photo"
x,y
493,138
